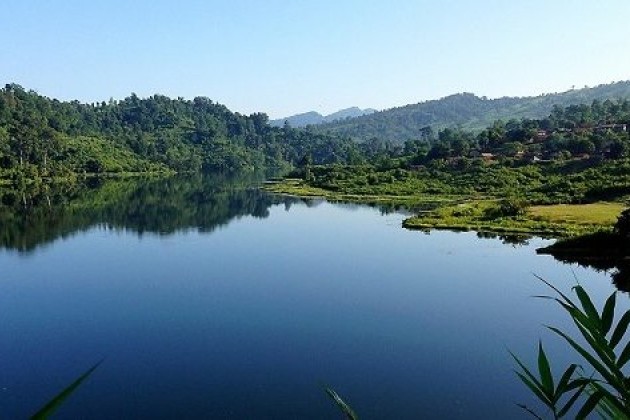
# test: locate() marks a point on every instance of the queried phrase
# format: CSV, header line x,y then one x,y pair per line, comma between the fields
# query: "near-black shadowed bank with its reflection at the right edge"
x,y
601,251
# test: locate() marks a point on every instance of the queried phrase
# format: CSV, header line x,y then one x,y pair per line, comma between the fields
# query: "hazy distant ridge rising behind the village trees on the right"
x,y
465,111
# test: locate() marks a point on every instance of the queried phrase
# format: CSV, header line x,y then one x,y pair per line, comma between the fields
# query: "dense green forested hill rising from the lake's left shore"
x,y
40,136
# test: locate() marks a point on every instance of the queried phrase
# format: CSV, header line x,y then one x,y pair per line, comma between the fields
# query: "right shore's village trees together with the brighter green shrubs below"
x,y
576,154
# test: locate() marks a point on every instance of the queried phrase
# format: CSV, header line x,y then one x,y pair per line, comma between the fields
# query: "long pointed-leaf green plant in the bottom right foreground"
x,y
600,383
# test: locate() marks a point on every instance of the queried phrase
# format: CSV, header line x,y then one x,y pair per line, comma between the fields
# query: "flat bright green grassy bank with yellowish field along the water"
x,y
483,214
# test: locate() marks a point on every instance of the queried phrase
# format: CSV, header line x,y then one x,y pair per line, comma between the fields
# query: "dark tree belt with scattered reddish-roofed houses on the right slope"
x,y
597,131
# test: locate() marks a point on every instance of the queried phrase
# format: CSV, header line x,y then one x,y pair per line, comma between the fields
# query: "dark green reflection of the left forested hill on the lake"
x,y
42,213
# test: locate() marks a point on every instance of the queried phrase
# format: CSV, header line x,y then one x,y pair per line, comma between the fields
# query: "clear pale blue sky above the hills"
x,y
288,56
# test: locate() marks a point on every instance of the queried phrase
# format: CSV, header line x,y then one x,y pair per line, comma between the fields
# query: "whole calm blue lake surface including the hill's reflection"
x,y
212,300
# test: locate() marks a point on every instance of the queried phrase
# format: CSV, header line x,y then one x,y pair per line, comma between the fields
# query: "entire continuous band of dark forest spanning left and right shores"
x,y
42,137
